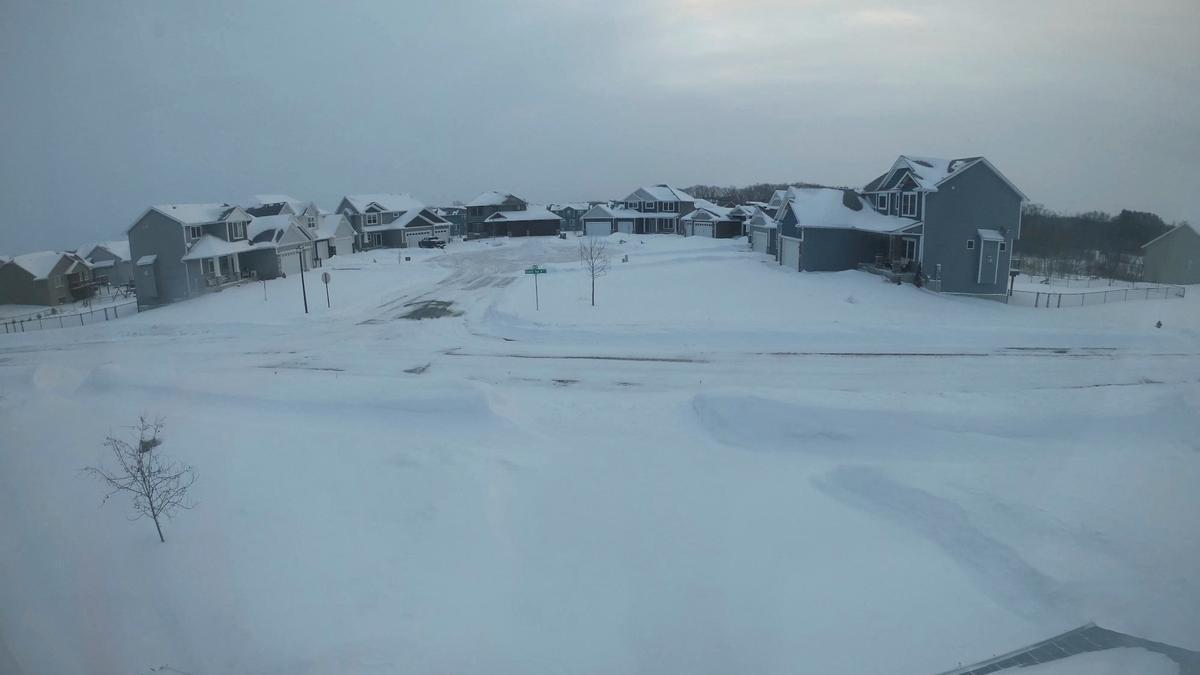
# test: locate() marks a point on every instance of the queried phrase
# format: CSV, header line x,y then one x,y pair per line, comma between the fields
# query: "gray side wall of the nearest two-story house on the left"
x,y
158,235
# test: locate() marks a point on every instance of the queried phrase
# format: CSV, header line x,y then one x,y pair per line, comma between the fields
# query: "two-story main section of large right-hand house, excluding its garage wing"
x,y
967,220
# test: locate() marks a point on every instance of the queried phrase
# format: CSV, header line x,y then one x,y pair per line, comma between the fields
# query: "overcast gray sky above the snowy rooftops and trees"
x,y
109,107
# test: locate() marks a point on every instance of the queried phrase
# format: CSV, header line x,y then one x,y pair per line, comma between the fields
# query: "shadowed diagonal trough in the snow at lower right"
x,y
995,568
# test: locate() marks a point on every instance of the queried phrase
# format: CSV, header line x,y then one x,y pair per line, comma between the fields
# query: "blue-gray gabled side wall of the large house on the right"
x,y
974,200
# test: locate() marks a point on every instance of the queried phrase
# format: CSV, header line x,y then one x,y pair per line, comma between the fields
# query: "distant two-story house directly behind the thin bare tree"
x,y
650,210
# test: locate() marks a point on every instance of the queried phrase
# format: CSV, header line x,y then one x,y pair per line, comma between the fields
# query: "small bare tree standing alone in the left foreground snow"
x,y
159,487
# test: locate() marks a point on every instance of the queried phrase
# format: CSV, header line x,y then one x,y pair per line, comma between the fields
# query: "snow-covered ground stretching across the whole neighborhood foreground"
x,y
722,468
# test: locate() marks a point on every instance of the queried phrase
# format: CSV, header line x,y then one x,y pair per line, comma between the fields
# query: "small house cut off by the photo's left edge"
x,y
46,278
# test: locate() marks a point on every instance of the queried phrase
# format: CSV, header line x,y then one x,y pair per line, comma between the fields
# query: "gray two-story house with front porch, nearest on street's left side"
x,y
183,250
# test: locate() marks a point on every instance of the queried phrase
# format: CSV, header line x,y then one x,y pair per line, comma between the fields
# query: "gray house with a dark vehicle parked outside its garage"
x,y
392,222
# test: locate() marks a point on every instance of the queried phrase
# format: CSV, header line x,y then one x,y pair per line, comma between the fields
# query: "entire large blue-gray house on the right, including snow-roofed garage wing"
x,y
952,223
